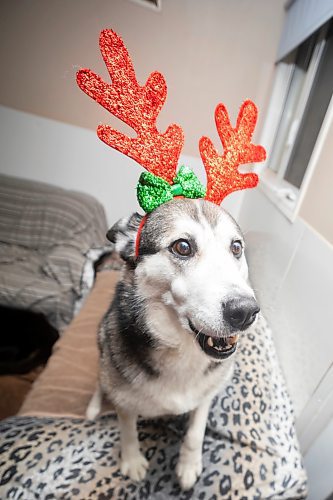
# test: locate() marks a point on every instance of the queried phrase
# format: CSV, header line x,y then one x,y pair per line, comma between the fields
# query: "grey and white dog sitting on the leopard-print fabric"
x,y
168,340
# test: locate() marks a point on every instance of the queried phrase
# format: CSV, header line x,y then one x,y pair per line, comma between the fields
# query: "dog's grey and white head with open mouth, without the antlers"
x,y
191,260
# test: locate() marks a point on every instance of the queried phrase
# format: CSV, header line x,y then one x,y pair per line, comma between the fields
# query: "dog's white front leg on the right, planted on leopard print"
x,y
190,459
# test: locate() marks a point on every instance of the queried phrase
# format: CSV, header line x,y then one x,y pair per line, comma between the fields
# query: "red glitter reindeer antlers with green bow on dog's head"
x,y
159,153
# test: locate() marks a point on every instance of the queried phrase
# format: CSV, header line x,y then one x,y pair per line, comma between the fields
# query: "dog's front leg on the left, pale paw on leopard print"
x,y
133,463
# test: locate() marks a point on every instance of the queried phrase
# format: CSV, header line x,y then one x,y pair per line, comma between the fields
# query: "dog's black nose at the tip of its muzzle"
x,y
240,312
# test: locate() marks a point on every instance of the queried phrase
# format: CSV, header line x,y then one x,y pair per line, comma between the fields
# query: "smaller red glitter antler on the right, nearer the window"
x,y
222,172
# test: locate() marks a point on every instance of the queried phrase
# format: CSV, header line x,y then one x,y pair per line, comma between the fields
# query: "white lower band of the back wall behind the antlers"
x,y
73,157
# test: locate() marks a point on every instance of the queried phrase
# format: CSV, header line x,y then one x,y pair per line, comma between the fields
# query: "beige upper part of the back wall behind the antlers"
x,y
209,51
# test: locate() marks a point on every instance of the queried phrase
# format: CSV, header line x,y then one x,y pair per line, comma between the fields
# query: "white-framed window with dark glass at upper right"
x,y
300,100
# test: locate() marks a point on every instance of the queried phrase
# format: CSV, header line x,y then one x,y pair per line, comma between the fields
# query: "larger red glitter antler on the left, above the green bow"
x,y
137,106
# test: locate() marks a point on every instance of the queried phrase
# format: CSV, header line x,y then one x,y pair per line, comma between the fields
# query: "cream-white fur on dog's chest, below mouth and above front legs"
x,y
184,381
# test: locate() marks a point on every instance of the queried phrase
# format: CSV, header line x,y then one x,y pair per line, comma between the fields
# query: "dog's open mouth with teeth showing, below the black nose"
x,y
216,347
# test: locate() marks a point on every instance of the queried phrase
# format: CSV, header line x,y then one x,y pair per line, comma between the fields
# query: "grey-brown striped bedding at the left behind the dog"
x,y
45,234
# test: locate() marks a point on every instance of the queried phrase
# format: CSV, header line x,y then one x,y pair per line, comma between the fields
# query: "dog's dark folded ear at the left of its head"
x,y
123,235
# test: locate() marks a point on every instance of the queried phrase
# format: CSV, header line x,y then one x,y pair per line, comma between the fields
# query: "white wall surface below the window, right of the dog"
x,y
292,272
